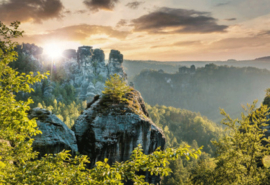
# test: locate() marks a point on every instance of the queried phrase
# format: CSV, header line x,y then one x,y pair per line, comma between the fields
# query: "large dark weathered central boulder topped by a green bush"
x,y
112,130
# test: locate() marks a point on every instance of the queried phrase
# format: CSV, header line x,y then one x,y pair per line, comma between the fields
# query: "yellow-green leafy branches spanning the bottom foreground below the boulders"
x,y
61,169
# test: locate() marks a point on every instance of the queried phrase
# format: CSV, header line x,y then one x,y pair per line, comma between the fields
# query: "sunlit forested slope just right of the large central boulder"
x,y
180,125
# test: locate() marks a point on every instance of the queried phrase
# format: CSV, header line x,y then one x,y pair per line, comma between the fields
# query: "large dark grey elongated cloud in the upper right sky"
x,y
175,21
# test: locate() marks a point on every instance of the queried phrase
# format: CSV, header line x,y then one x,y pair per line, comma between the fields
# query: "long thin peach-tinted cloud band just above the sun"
x,y
75,33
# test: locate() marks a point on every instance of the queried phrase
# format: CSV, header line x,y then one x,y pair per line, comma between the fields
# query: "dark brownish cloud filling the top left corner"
x,y
31,10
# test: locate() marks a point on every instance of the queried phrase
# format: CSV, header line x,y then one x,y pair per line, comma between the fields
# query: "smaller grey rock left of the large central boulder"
x,y
55,137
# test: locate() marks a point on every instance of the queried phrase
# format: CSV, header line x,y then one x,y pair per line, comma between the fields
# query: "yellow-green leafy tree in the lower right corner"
x,y
240,153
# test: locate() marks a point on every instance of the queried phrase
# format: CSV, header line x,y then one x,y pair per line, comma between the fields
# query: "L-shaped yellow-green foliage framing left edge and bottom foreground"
x,y
20,165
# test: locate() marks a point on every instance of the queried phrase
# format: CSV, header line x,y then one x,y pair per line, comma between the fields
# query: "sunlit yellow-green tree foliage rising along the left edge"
x,y
16,129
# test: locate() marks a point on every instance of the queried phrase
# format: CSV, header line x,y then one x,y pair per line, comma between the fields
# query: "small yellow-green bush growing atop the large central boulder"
x,y
115,89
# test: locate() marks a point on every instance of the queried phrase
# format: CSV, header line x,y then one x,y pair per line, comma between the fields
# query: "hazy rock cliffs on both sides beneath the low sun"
x,y
85,69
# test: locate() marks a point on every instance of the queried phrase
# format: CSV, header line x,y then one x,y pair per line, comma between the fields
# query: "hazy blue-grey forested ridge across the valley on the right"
x,y
205,89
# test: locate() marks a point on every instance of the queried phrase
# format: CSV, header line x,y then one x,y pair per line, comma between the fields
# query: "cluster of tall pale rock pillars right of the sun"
x,y
87,72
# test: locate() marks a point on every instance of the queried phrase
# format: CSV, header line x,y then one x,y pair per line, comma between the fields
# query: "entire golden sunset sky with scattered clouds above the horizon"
x,y
162,30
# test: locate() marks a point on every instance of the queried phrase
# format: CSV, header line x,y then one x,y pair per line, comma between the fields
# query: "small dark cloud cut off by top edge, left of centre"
x,y
96,5
